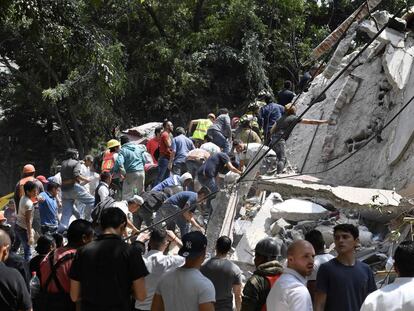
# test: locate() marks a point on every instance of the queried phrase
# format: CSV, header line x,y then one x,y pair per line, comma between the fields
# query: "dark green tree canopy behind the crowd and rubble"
x,y
73,70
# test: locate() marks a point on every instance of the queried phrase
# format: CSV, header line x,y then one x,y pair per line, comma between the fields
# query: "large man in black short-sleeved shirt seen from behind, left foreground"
x,y
104,271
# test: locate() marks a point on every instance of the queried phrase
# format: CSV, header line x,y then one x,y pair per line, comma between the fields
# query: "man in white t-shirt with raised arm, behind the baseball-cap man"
x,y
158,264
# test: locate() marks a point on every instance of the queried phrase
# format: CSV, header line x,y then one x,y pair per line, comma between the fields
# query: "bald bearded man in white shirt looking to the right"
x,y
290,292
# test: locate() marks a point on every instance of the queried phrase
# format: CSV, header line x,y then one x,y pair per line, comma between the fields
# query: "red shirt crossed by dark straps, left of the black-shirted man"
x,y
62,271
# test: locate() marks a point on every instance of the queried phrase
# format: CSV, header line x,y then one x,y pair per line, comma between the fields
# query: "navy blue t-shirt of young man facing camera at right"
x,y
346,287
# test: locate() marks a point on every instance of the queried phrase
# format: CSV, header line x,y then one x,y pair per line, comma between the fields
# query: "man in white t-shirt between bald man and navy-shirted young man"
x,y
315,237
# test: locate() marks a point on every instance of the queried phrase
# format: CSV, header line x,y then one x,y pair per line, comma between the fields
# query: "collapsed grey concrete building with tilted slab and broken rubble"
x,y
364,98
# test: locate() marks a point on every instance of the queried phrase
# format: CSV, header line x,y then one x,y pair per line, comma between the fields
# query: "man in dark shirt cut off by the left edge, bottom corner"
x,y
13,294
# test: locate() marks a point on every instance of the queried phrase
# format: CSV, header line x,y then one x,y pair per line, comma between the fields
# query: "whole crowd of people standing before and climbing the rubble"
x,y
83,225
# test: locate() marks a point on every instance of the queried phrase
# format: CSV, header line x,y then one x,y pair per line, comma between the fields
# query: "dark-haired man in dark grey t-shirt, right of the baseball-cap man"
x,y
225,275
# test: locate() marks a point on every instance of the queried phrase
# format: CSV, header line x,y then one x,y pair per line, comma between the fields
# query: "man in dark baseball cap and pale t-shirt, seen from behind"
x,y
186,289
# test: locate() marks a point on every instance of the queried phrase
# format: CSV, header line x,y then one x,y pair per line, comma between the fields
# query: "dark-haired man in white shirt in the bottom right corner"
x,y
398,296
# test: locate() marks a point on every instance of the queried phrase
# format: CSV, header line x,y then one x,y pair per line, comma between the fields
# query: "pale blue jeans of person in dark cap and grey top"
x,y
69,195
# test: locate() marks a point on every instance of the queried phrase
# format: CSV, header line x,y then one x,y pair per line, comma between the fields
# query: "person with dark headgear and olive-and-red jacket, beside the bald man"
x,y
268,271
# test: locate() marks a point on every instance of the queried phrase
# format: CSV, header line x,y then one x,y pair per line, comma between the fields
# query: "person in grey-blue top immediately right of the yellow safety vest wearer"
x,y
220,131
